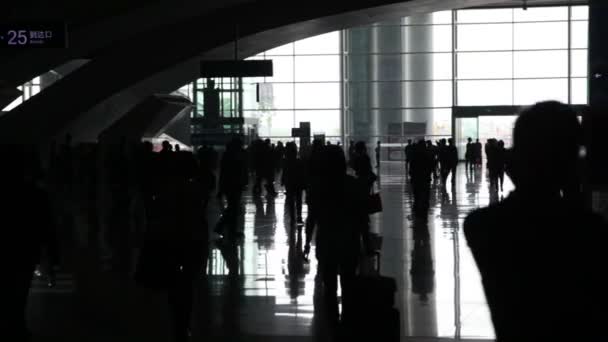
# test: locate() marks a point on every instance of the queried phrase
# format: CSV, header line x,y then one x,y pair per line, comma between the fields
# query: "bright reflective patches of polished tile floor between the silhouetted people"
x,y
439,290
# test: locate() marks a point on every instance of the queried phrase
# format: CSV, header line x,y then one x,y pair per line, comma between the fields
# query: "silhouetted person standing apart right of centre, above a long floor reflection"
x,y
420,171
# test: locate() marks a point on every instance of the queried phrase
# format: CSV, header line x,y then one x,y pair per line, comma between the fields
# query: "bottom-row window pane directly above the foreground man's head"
x,y
528,92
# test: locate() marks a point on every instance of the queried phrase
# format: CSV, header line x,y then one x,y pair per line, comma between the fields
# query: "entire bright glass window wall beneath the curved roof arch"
x,y
357,82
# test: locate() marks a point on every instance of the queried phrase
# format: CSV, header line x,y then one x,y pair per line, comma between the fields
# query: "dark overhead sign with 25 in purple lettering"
x,y
36,35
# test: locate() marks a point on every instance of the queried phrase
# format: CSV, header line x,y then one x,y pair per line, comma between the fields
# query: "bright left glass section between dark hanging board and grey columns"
x,y
305,87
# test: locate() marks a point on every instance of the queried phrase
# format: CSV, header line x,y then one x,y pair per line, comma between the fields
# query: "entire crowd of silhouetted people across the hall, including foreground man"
x,y
148,216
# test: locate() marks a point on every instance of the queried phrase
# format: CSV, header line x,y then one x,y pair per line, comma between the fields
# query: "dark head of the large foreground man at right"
x,y
546,142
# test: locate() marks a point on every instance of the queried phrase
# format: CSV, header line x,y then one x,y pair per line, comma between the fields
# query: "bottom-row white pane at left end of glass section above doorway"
x,y
485,93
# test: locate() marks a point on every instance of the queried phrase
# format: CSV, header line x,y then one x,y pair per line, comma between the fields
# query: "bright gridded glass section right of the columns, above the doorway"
x,y
519,57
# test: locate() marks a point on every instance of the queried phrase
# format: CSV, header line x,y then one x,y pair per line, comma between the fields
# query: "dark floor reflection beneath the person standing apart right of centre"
x,y
422,270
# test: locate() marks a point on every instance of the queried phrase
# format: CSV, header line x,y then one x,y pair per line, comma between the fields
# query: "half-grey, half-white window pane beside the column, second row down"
x,y
436,38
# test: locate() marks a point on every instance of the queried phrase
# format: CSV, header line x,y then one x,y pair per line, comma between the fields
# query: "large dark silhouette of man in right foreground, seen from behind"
x,y
539,251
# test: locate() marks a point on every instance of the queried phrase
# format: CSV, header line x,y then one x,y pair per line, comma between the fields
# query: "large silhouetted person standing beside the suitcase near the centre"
x,y
343,223
